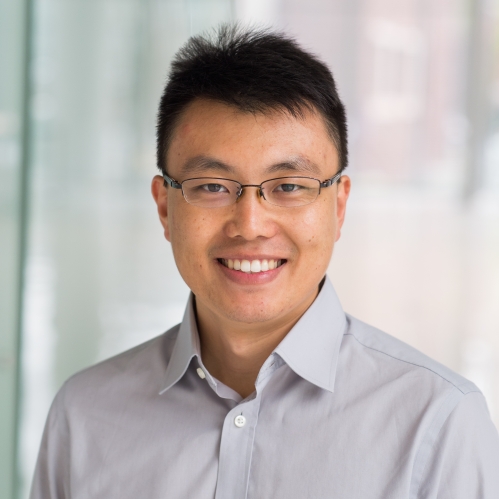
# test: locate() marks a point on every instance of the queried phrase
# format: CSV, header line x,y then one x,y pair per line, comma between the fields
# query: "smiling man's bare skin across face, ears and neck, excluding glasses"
x,y
242,319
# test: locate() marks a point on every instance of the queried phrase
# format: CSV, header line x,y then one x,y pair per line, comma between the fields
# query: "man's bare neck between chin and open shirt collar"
x,y
234,352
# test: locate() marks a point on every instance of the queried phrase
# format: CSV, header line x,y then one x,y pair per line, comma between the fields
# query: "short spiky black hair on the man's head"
x,y
255,71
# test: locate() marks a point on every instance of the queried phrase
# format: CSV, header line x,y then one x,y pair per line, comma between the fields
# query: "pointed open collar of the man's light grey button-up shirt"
x,y
310,349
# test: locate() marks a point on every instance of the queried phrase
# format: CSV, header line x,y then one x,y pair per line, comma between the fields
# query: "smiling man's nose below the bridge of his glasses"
x,y
250,216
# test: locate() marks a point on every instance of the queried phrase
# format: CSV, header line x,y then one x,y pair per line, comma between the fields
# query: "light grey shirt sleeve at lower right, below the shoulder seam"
x,y
464,462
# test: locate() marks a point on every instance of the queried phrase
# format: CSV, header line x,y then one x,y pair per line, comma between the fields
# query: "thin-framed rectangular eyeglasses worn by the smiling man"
x,y
208,192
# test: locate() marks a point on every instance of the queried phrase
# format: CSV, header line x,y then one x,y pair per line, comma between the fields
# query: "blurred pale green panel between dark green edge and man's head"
x,y
100,277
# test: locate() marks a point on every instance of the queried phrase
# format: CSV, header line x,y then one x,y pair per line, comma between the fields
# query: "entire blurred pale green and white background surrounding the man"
x,y
85,271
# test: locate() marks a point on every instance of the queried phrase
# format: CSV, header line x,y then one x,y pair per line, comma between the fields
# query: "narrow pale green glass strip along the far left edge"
x,y
12,73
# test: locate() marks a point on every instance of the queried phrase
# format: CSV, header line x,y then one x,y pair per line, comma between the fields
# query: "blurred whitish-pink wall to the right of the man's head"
x,y
419,255
